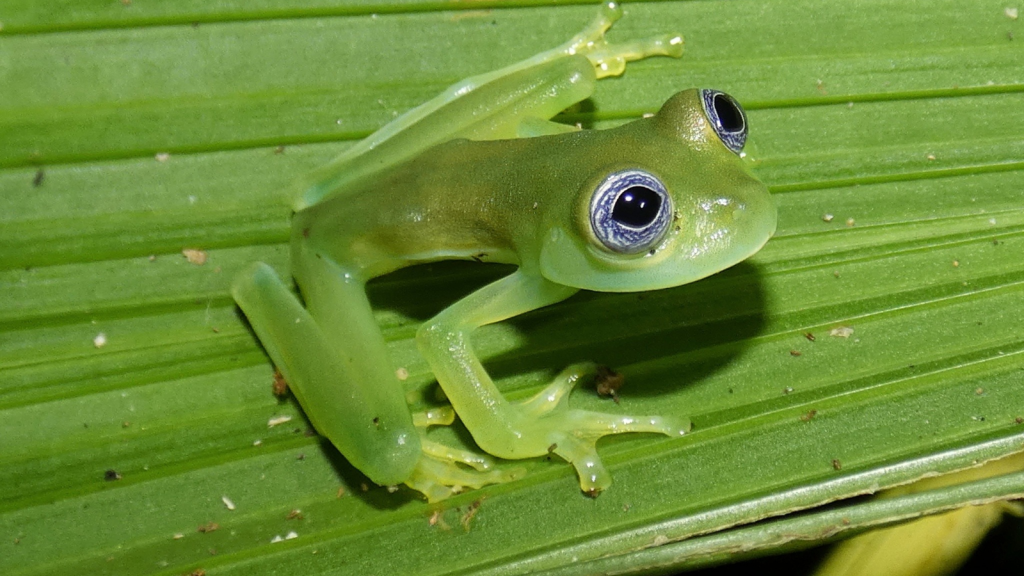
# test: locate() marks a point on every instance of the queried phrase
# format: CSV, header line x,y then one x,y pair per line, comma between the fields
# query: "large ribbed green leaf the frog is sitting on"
x,y
888,131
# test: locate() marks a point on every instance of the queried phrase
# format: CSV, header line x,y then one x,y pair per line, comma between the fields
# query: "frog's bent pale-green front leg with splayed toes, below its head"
x,y
539,426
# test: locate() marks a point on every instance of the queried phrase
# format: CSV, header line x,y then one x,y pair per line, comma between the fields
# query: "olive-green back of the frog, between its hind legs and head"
x,y
457,200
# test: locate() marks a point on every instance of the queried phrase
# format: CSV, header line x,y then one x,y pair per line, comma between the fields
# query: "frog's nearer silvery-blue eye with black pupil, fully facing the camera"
x,y
630,212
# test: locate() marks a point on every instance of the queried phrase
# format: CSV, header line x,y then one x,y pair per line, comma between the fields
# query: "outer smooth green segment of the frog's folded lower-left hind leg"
x,y
367,420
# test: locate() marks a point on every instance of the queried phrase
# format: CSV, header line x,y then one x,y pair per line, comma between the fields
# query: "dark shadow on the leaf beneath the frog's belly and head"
x,y
722,312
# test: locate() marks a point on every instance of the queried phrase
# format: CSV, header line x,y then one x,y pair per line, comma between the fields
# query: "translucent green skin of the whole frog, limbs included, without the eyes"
x,y
481,173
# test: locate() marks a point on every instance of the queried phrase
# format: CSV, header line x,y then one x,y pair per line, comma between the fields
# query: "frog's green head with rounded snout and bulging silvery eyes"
x,y
670,204
